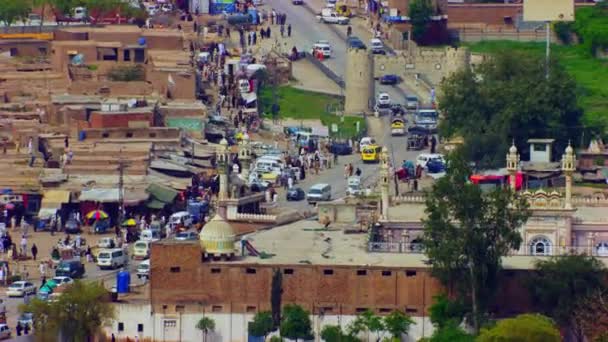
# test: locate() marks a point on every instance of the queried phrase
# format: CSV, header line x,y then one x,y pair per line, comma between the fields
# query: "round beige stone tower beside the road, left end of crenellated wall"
x,y
359,81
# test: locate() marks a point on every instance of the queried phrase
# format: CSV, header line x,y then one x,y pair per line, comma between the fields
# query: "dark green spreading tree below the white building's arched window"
x,y
562,283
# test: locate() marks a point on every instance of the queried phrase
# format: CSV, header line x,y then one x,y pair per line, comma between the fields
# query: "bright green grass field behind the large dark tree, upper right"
x,y
591,74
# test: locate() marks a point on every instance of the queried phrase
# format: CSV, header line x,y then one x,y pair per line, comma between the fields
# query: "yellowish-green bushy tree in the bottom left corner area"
x,y
77,314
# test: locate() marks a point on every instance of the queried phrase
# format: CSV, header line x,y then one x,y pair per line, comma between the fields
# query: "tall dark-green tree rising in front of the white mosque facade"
x,y
467,232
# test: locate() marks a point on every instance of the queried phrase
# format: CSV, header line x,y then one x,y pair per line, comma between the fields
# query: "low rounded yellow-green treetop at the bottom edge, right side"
x,y
526,327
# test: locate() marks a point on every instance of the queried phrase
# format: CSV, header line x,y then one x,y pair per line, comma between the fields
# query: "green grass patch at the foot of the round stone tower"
x,y
305,105
